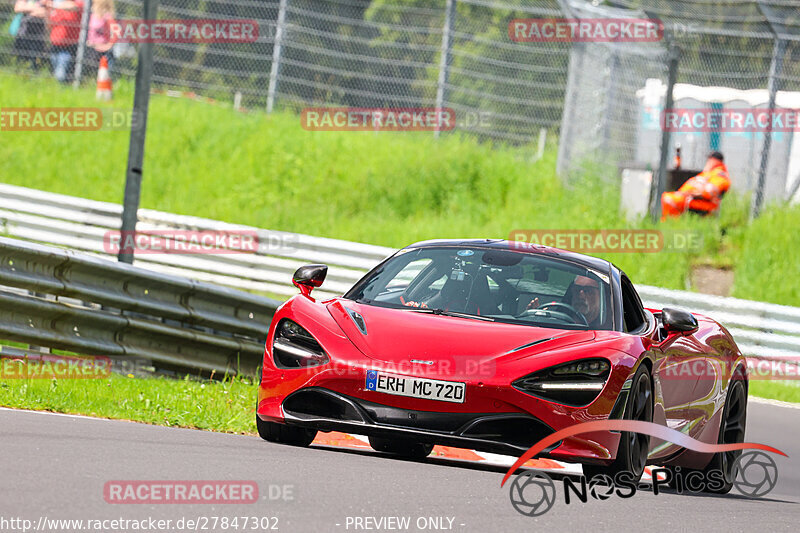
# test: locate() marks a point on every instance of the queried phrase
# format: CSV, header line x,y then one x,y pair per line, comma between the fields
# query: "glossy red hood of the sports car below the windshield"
x,y
399,335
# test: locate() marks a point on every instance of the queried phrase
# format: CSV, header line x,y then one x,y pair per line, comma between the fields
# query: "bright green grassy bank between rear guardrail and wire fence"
x,y
386,188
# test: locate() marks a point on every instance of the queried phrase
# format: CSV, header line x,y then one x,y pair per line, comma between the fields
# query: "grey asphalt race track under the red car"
x,y
56,466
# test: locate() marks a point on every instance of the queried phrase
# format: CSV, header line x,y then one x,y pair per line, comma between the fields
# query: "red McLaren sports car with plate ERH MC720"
x,y
492,345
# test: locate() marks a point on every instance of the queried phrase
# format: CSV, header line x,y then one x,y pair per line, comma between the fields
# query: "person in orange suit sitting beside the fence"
x,y
701,194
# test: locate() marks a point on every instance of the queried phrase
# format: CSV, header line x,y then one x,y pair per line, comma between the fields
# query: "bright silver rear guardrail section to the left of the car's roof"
x,y
80,224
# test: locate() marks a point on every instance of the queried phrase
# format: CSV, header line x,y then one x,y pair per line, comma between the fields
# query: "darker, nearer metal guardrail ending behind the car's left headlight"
x,y
90,305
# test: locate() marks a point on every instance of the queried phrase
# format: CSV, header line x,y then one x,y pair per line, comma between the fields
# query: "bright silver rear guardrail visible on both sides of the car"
x,y
762,330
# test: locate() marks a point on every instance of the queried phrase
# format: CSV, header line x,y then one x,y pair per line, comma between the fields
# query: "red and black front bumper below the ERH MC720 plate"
x,y
496,418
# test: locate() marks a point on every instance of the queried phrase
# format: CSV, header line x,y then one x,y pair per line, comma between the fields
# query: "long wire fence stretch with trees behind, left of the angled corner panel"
x,y
361,53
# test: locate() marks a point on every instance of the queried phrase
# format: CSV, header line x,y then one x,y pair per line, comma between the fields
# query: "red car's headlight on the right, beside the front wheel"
x,y
576,384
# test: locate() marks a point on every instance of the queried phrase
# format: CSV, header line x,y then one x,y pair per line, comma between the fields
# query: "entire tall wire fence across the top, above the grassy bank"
x,y
602,100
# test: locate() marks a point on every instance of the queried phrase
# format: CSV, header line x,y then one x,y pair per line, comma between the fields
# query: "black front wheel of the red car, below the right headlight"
x,y
633,447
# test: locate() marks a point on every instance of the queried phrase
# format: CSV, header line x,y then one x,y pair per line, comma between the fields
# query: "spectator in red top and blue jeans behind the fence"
x,y
65,29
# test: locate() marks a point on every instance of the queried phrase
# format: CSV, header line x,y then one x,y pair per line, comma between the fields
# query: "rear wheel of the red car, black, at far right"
x,y
732,427
